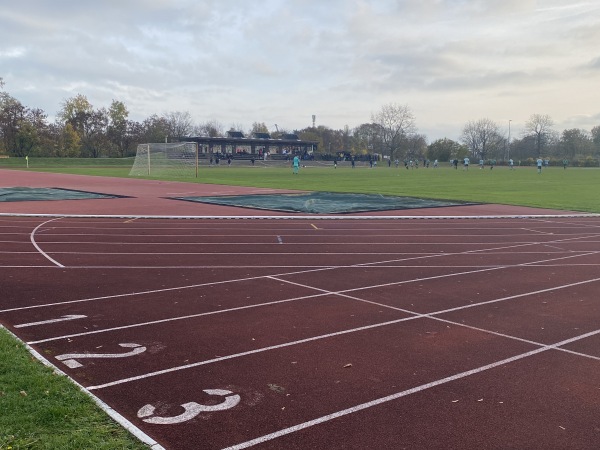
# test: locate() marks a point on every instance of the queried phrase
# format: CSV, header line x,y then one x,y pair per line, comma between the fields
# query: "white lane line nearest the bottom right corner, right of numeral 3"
x,y
389,398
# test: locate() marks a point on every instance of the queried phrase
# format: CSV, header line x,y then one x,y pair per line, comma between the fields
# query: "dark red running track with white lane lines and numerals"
x,y
320,334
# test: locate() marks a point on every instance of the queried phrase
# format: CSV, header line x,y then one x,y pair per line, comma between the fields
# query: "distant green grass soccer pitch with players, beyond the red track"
x,y
576,189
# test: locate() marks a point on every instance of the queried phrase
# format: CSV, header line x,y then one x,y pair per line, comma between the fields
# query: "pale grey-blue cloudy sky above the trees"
x,y
281,61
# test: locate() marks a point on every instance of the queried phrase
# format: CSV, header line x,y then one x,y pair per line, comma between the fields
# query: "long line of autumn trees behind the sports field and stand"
x,y
81,130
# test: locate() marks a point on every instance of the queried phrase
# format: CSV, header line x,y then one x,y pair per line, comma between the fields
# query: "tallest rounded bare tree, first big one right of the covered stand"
x,y
395,123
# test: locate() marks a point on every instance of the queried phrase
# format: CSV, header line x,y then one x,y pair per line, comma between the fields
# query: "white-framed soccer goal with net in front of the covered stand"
x,y
178,159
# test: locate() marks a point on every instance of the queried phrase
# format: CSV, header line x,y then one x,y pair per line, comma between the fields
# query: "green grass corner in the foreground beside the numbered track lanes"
x,y
40,409
